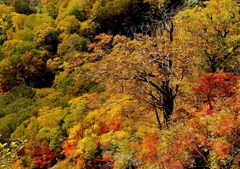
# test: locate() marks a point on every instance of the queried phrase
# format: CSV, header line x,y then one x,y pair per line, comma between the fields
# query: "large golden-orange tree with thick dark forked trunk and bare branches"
x,y
144,67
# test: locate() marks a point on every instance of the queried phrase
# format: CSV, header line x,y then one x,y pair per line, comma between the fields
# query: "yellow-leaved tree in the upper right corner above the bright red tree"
x,y
214,30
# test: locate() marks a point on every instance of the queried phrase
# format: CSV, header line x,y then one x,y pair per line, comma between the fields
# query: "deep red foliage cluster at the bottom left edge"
x,y
42,157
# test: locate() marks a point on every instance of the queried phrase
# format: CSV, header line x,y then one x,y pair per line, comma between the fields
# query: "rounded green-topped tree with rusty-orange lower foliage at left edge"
x,y
25,65
